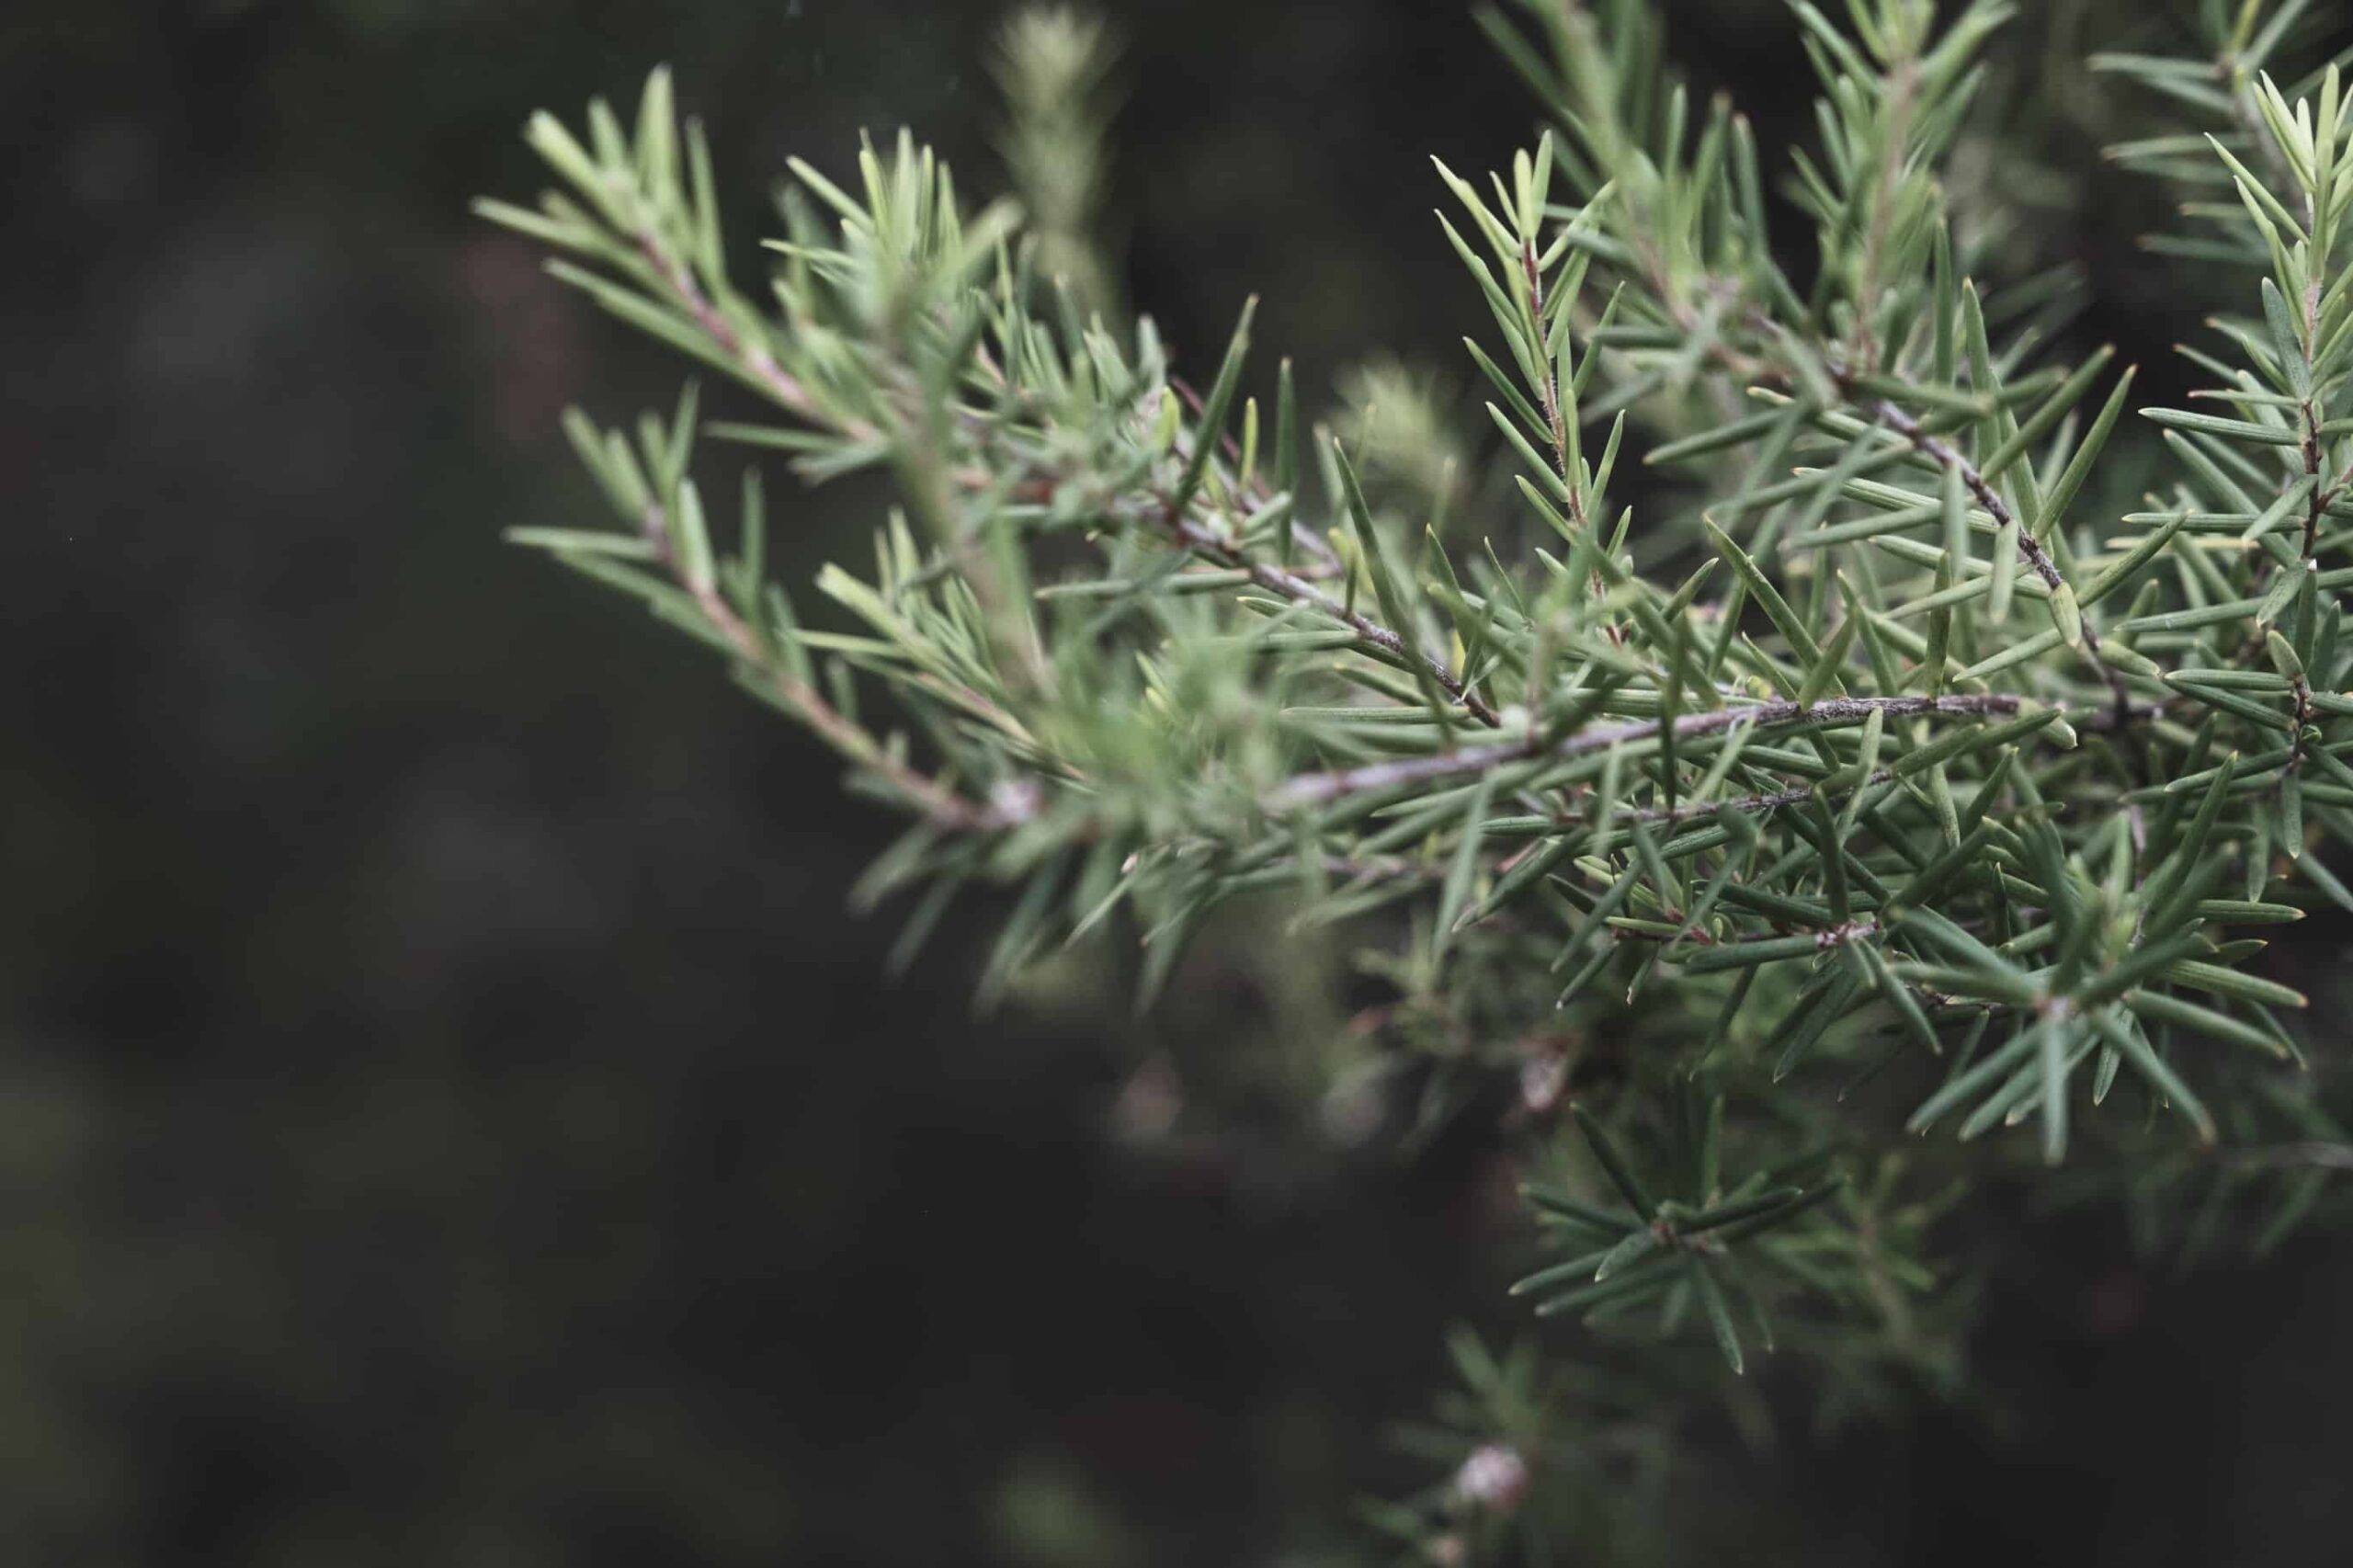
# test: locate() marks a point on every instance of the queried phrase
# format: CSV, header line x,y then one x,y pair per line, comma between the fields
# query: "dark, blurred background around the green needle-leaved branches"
x,y
446,1110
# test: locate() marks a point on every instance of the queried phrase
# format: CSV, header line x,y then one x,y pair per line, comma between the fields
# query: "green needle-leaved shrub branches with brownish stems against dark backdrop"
x,y
1881,752
